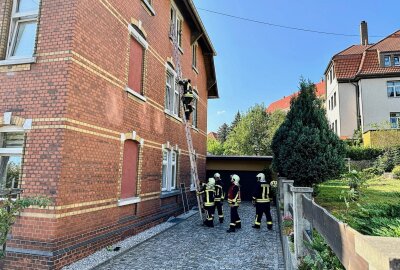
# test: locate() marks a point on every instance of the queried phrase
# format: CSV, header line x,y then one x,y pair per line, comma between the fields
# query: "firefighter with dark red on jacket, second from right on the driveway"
x,y
234,201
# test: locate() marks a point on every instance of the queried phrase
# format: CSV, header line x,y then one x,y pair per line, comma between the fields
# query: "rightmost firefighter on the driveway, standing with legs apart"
x,y
262,200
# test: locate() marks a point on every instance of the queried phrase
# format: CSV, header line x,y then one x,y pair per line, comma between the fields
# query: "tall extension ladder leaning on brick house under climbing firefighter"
x,y
192,154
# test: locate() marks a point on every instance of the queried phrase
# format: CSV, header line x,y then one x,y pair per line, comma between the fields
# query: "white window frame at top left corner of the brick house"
x,y
16,19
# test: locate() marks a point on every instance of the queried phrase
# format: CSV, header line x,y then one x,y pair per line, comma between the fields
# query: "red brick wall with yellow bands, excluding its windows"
x,y
75,94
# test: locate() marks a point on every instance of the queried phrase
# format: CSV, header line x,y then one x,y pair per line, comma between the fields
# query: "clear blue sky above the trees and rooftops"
x,y
259,63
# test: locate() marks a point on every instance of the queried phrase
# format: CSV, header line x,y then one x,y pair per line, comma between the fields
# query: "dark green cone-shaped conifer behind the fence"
x,y
305,149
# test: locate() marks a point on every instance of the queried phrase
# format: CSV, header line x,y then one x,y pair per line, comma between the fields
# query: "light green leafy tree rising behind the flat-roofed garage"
x,y
249,136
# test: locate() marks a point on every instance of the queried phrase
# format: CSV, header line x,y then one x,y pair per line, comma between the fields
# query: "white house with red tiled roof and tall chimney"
x,y
363,86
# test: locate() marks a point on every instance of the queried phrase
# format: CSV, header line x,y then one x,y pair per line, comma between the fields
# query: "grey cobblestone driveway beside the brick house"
x,y
191,246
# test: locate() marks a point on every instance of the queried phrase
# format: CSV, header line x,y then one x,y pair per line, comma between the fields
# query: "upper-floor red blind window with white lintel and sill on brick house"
x,y
137,47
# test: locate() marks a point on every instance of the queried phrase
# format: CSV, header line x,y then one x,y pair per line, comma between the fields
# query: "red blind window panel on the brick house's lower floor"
x,y
130,169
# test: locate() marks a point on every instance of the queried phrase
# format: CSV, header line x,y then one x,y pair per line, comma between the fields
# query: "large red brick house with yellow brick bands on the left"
x,y
90,117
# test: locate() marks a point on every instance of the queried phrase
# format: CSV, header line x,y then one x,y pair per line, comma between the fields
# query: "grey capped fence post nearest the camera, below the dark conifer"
x,y
300,224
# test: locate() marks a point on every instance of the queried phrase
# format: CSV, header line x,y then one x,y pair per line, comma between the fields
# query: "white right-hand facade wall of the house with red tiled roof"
x,y
376,105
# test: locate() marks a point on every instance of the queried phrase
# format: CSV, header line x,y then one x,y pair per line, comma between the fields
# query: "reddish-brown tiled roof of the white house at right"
x,y
359,60
